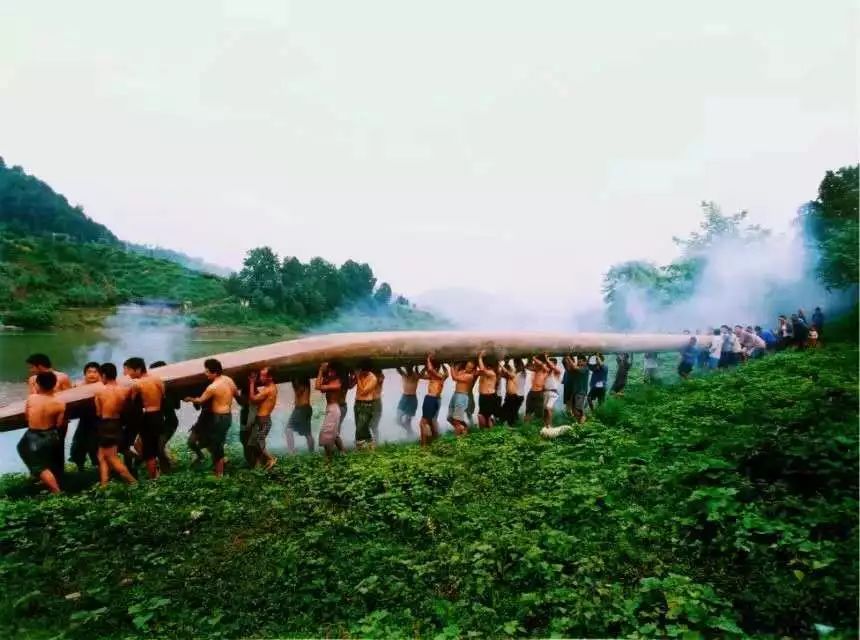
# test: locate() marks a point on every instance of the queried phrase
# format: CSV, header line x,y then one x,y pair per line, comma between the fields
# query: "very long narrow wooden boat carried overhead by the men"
x,y
294,358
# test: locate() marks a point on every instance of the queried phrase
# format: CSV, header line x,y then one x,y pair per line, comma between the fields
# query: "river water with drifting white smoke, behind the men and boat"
x,y
154,334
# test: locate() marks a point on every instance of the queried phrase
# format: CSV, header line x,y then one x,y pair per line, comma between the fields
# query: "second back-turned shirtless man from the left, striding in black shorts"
x,y
110,401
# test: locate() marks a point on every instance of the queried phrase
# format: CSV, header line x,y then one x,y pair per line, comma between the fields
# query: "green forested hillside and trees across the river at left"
x,y
53,256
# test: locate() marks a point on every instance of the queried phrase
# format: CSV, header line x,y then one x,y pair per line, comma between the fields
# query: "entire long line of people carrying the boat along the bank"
x,y
127,426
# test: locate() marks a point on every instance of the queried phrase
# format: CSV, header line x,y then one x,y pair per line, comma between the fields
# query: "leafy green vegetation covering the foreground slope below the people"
x,y
723,506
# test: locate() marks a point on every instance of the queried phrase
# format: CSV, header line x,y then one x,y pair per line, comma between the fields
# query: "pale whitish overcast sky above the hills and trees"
x,y
516,147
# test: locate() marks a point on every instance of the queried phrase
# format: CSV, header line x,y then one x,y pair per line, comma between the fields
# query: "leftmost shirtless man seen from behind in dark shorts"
x,y
45,417
